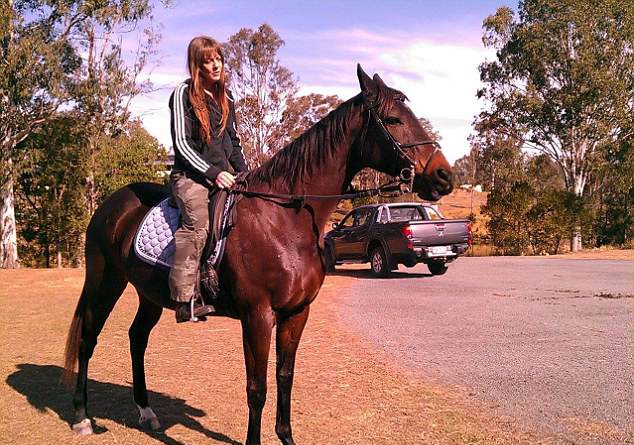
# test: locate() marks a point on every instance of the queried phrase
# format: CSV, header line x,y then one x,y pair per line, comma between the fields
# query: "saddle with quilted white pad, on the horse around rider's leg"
x,y
154,239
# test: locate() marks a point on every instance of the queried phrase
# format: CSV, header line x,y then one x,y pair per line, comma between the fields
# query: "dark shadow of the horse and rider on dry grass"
x,y
40,384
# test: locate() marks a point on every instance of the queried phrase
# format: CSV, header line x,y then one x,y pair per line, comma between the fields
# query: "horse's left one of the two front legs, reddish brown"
x,y
257,326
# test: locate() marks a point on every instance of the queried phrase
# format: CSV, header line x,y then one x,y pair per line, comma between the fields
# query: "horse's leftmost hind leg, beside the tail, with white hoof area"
x,y
102,288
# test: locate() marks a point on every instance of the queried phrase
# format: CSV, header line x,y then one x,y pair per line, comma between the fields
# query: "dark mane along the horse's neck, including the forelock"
x,y
296,161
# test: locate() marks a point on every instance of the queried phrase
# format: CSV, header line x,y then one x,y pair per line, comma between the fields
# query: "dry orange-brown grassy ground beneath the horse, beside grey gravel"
x,y
345,392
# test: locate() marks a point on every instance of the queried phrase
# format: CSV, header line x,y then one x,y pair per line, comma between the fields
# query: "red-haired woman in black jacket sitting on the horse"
x,y
205,145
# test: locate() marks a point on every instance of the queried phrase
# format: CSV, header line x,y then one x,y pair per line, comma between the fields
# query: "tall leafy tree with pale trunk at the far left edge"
x,y
35,60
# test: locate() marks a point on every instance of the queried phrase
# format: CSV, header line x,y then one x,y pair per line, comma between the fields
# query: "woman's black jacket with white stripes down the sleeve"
x,y
191,153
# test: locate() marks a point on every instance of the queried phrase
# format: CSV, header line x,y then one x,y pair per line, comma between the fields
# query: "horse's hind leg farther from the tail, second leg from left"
x,y
146,318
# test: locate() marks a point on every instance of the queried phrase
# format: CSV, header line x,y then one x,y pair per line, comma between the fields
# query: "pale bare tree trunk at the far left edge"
x,y
8,233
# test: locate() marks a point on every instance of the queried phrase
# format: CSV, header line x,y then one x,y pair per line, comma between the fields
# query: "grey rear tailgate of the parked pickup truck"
x,y
439,232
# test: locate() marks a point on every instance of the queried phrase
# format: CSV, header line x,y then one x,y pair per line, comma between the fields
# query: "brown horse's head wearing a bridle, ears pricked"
x,y
396,143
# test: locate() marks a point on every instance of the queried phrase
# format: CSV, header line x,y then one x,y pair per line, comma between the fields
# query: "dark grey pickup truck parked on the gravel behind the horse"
x,y
386,235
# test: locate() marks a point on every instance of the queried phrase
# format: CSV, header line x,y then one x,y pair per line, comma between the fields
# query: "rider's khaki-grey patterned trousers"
x,y
192,199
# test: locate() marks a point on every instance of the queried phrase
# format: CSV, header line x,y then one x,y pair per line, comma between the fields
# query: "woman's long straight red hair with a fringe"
x,y
200,49
